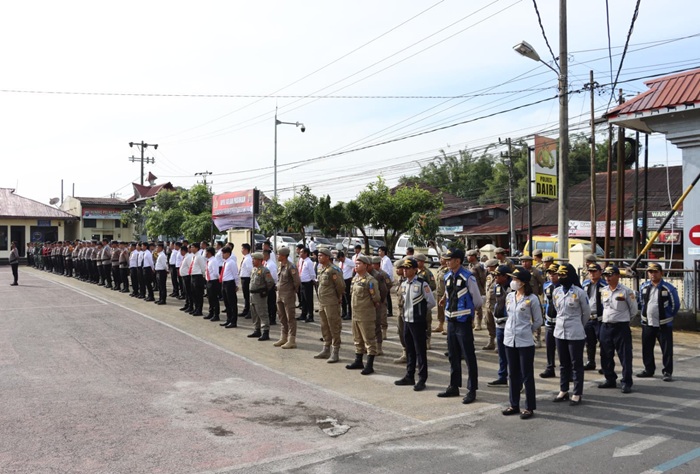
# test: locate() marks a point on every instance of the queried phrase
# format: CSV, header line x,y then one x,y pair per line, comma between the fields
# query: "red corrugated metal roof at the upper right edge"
x,y
665,94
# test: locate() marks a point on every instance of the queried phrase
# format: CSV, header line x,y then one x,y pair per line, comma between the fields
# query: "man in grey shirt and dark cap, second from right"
x,y
619,305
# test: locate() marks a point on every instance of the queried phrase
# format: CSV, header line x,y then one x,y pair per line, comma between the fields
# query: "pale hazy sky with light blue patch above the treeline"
x,y
203,80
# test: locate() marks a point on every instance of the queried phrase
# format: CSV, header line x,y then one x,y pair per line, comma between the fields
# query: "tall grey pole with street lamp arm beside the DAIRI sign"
x,y
528,51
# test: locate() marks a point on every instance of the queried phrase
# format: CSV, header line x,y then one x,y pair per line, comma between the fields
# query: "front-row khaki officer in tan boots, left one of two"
x,y
288,283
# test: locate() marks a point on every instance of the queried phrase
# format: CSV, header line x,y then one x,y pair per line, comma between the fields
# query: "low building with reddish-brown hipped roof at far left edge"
x,y
24,220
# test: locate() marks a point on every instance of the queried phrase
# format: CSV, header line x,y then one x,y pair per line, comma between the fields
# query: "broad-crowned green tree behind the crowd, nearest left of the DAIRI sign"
x,y
392,210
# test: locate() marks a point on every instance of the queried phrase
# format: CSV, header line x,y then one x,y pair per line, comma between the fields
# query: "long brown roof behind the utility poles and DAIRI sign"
x,y
544,215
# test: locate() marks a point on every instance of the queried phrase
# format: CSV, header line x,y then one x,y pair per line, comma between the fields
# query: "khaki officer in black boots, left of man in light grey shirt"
x,y
364,299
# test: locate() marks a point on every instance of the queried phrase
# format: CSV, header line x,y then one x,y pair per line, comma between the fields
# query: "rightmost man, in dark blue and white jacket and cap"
x,y
660,305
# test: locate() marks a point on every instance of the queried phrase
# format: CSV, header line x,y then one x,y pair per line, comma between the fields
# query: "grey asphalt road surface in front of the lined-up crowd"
x,y
94,381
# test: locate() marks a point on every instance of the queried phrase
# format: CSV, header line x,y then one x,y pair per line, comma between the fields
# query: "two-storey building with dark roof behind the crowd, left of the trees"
x,y
98,218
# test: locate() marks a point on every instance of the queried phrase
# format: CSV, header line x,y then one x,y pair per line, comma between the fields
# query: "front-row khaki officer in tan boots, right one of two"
x,y
331,288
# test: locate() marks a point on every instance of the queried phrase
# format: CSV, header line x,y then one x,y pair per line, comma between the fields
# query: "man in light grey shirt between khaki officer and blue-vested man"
x,y
419,300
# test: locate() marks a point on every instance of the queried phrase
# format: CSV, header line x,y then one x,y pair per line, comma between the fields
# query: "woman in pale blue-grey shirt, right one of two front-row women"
x,y
573,312
